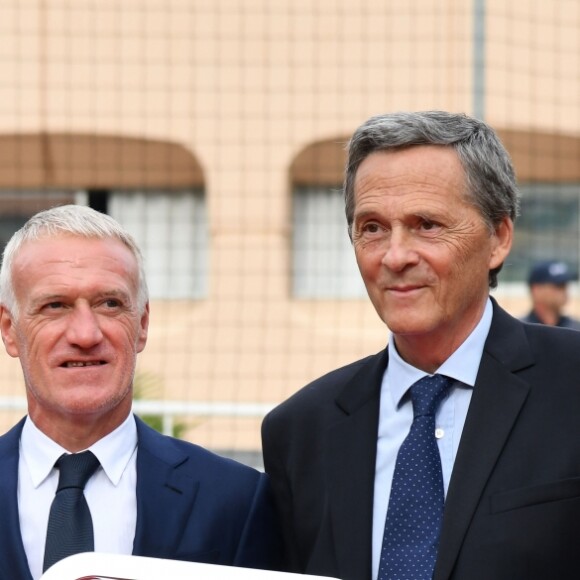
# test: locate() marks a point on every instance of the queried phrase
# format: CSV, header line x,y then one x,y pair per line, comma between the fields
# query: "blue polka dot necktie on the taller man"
x,y
415,511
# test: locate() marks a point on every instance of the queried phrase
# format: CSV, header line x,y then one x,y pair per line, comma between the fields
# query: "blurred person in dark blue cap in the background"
x,y
548,281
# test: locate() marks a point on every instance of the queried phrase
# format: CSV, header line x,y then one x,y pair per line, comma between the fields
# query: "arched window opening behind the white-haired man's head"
x,y
154,188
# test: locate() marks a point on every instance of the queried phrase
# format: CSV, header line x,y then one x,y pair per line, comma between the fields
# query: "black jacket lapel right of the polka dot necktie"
x,y
498,397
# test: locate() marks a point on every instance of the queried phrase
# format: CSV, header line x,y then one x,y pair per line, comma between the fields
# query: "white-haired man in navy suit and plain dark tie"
x,y
74,310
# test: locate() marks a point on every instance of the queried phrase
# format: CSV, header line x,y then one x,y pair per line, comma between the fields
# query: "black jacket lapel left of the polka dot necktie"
x,y
350,465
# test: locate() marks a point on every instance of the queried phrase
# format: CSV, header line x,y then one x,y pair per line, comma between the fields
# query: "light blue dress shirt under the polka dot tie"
x,y
396,416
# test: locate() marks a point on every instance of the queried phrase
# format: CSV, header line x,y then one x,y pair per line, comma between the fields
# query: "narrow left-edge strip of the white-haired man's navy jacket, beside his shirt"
x,y
13,562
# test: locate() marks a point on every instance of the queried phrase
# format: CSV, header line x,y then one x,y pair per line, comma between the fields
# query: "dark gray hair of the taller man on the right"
x,y
489,173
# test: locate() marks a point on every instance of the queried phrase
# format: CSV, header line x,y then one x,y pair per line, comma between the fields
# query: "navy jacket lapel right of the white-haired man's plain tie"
x,y
164,497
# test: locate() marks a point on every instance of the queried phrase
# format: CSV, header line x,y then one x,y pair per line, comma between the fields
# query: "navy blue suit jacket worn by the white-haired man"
x,y
191,505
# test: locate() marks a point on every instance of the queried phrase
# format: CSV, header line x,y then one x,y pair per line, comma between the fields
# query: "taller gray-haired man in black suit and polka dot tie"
x,y
453,454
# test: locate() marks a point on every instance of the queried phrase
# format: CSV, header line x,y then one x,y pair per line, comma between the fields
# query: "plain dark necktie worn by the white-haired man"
x,y
70,527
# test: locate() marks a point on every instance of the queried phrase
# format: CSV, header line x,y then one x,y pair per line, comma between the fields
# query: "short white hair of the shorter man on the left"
x,y
76,220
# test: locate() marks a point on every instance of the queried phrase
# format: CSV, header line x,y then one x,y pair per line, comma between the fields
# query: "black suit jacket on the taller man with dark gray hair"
x,y
513,506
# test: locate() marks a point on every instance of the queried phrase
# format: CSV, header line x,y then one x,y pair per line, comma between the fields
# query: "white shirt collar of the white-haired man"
x,y
113,451
